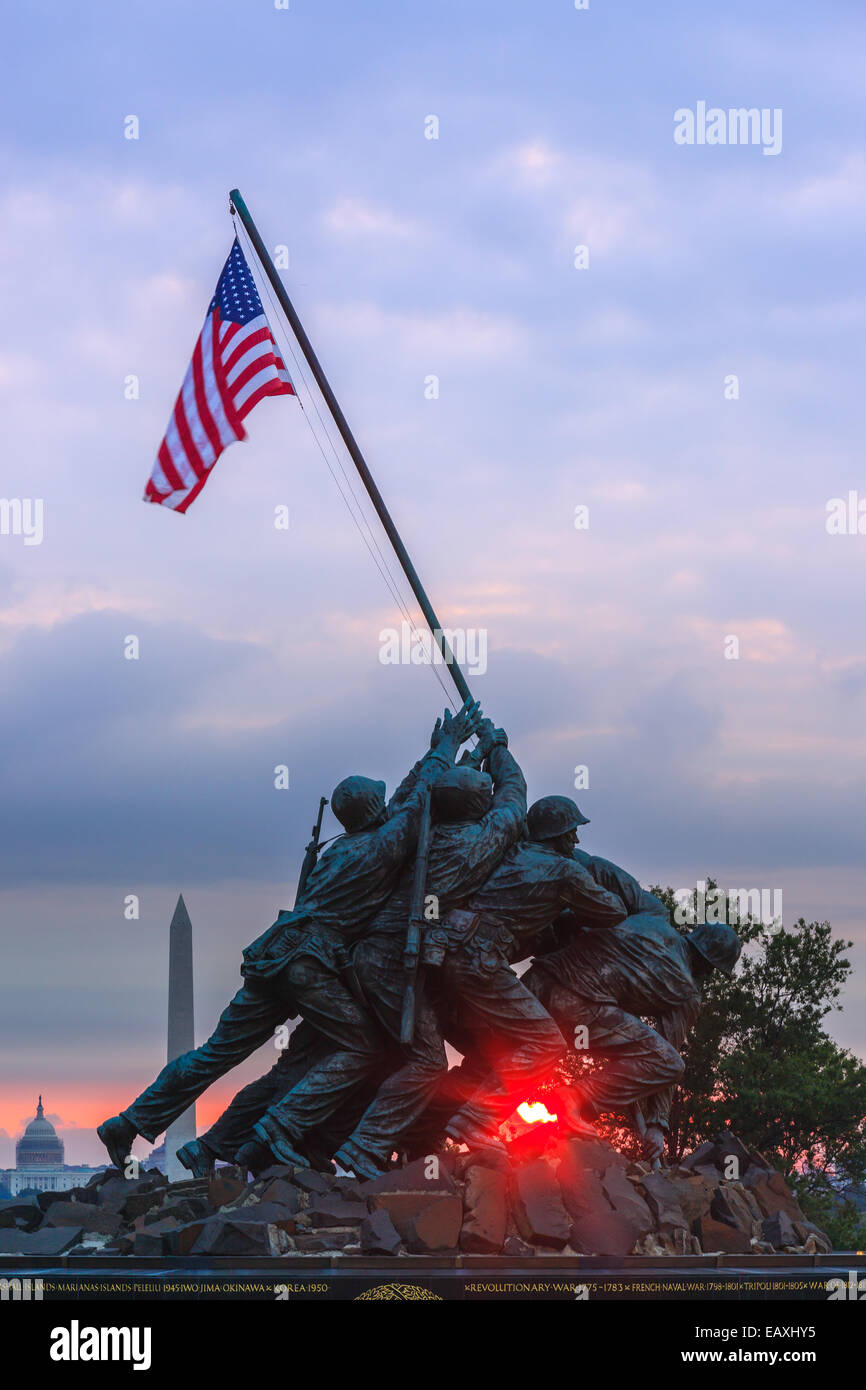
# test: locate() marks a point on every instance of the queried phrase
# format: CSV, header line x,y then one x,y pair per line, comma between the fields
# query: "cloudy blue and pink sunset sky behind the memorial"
x,y
558,389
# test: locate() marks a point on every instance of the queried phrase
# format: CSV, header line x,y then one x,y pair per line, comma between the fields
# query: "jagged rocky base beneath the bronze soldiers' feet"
x,y
576,1197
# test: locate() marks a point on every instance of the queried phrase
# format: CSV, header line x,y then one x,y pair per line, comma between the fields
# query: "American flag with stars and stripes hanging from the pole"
x,y
234,365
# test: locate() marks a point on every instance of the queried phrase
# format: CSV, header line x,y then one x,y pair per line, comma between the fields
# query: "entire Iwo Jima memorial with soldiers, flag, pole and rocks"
x,y
405,938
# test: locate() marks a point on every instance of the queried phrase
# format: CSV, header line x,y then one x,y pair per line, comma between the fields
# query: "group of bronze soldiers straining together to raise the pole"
x,y
498,885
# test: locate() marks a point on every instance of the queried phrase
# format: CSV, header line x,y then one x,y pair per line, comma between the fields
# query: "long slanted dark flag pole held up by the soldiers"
x,y
358,459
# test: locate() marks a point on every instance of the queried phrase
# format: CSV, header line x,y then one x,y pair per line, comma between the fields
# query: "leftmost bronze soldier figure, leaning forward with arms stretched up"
x,y
298,961
